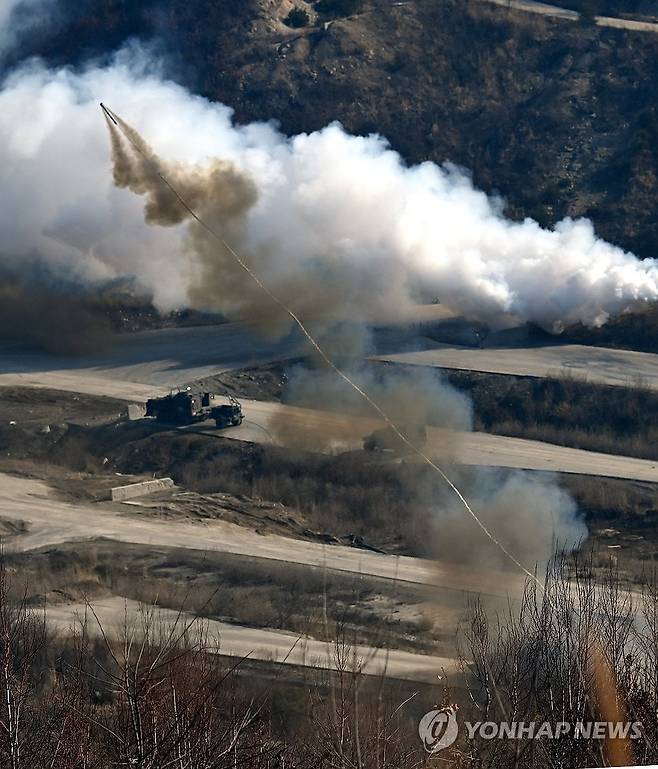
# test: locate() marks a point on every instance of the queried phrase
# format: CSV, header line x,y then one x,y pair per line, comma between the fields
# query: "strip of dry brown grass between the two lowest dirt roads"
x,y
247,591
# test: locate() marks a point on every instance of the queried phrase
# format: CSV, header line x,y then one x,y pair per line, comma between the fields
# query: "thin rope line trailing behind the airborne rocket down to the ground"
x,y
138,147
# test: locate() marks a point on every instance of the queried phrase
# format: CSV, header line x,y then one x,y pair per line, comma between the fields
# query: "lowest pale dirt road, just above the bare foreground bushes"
x,y
258,644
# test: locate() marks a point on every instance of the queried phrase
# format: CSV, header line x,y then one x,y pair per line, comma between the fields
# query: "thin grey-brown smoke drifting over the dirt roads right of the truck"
x,y
528,512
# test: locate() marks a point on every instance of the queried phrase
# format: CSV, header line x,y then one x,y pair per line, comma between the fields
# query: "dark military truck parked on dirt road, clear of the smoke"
x,y
187,408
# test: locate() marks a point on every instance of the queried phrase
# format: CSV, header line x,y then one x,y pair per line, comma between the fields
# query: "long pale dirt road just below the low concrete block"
x,y
52,521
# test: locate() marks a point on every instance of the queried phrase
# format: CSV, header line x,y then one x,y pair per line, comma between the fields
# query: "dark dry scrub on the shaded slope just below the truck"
x,y
348,496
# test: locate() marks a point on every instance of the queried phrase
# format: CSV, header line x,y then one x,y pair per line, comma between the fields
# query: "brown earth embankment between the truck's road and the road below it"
x,y
82,447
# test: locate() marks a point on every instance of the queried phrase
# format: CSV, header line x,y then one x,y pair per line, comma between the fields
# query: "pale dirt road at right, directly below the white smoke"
x,y
600,365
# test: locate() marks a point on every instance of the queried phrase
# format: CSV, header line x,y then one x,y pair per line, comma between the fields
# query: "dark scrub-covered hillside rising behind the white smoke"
x,y
558,117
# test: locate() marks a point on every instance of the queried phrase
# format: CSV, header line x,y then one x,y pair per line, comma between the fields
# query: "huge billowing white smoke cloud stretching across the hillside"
x,y
341,208
